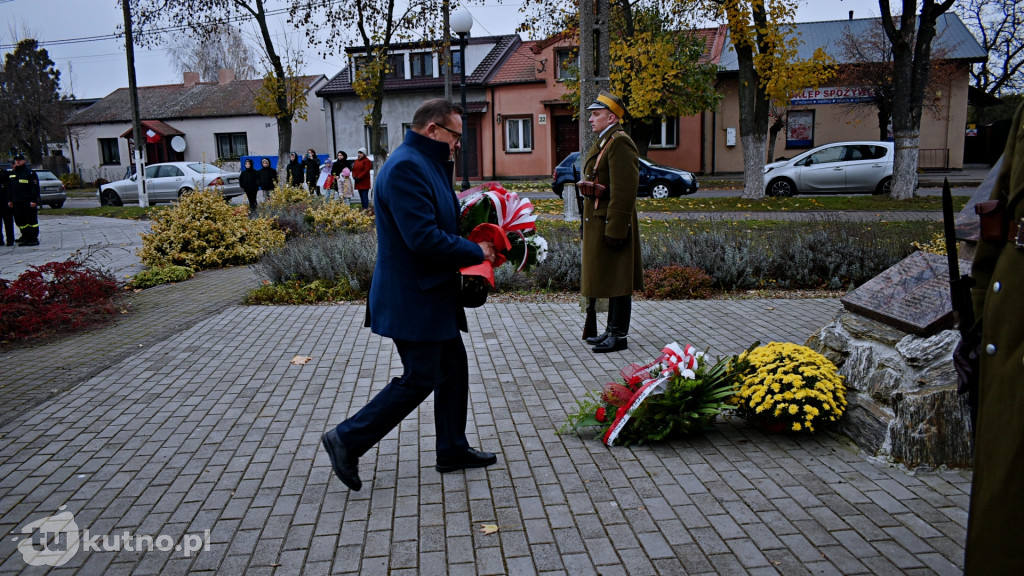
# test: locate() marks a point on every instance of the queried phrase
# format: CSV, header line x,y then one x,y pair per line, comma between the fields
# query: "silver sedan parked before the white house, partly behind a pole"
x,y
168,181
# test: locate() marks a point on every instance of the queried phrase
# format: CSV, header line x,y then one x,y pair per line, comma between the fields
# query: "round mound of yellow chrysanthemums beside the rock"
x,y
792,385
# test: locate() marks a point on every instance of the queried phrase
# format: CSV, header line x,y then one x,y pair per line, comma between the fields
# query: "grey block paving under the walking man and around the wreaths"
x,y
214,429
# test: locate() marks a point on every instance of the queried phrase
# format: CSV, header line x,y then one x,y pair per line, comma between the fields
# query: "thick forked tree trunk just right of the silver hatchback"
x,y
912,45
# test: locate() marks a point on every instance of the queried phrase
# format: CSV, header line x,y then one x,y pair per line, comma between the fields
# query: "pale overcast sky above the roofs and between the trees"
x,y
94,65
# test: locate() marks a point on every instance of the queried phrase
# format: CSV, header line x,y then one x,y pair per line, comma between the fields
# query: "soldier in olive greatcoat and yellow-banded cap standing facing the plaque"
x,y
612,265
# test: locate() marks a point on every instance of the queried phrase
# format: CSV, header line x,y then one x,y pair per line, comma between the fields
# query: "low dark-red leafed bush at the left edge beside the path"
x,y
55,297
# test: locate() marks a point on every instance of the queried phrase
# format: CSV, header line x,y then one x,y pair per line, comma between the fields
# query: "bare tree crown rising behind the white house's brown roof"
x,y
224,50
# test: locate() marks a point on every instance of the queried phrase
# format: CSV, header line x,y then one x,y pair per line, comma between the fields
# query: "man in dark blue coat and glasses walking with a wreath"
x,y
414,299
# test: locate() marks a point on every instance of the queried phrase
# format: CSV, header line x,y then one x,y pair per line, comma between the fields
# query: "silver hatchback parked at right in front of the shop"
x,y
837,168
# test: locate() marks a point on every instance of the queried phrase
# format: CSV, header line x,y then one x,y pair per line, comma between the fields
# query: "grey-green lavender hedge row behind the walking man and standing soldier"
x,y
826,254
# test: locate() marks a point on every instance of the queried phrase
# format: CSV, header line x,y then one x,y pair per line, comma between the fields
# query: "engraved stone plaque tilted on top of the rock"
x,y
914,296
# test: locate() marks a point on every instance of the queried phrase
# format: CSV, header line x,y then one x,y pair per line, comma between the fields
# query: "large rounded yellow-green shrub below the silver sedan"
x,y
203,232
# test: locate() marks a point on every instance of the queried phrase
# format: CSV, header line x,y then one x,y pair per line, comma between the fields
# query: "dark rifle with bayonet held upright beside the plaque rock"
x,y
966,357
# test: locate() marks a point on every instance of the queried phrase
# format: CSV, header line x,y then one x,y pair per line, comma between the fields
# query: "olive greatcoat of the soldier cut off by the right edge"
x,y
994,534
